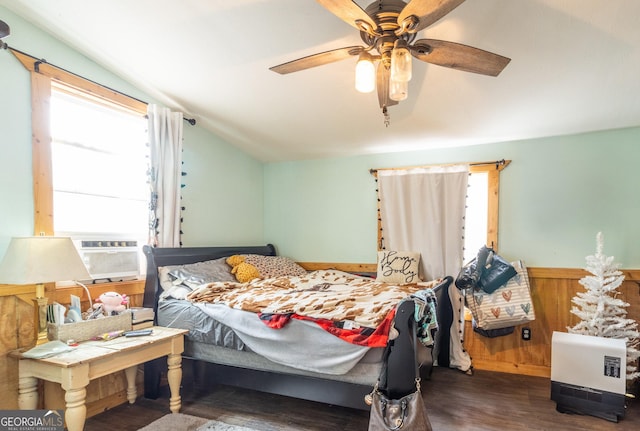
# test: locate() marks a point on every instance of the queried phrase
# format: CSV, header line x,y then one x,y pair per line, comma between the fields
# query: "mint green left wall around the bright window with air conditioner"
x,y
223,194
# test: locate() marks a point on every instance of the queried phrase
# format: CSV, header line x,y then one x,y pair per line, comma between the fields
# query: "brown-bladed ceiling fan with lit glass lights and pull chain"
x,y
389,28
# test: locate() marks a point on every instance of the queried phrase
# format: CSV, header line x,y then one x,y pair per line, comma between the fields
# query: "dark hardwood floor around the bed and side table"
x,y
486,401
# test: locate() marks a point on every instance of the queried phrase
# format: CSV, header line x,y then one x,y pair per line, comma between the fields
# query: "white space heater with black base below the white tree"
x,y
588,375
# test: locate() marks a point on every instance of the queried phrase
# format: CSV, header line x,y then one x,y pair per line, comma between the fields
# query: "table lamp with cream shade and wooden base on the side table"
x,y
38,260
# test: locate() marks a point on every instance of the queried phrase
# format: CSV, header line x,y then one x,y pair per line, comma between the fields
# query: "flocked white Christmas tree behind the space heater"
x,y
602,313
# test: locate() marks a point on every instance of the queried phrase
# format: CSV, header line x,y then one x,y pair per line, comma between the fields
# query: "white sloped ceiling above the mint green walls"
x,y
575,67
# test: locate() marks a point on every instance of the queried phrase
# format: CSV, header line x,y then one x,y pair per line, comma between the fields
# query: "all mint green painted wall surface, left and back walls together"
x,y
556,195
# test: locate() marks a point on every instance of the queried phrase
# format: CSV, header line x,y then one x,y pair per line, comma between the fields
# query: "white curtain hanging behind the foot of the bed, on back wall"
x,y
423,209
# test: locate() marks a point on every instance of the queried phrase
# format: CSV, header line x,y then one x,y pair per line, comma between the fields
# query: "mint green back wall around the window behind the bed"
x,y
555,196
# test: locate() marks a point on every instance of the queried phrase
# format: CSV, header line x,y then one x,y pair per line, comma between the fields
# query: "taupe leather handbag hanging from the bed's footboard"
x,y
406,413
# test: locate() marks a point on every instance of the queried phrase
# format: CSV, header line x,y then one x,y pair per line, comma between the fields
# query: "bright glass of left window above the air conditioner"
x,y
99,163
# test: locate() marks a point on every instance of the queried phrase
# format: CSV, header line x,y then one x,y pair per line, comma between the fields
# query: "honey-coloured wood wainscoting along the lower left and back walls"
x,y
552,290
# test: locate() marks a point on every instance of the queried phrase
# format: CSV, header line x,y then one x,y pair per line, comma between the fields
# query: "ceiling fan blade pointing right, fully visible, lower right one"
x,y
459,56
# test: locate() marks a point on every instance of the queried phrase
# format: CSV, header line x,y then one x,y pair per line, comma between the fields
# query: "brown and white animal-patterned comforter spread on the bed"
x,y
329,295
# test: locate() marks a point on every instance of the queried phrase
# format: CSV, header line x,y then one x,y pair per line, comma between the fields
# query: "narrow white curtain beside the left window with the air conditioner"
x,y
165,146
